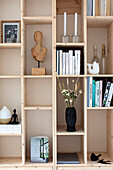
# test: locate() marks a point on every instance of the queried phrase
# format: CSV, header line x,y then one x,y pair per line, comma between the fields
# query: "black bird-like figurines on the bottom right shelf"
x,y
96,158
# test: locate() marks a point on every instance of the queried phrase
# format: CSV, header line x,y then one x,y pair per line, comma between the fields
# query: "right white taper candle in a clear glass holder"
x,y
75,37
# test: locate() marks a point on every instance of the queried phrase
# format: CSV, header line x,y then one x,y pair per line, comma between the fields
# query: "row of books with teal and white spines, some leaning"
x,y
96,96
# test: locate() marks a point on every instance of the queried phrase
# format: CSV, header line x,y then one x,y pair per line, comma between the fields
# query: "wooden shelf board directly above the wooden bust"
x,y
38,20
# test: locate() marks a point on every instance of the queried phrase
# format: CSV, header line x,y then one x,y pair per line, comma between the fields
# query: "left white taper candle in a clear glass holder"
x,y
65,37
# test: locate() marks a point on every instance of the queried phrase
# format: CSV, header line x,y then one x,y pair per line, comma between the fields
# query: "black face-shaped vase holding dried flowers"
x,y
70,119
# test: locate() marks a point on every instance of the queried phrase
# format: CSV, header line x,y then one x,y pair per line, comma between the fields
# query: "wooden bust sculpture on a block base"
x,y
38,52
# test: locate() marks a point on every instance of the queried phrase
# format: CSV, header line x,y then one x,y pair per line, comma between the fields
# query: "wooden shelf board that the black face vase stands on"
x,y
62,131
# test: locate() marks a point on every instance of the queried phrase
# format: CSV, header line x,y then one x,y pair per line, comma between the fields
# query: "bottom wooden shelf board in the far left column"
x,y
10,161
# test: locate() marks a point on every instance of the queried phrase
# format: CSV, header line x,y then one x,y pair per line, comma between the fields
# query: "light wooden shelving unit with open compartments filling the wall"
x,y
37,99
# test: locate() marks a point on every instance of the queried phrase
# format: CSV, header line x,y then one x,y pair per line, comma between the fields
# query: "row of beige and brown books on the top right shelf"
x,y
99,7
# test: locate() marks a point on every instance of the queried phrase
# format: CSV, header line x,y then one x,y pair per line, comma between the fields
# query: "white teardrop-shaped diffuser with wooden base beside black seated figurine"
x,y
5,115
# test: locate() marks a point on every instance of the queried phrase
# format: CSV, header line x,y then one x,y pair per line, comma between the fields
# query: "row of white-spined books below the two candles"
x,y
68,63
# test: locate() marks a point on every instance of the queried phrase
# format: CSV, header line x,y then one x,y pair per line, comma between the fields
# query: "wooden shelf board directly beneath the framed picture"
x,y
10,45
